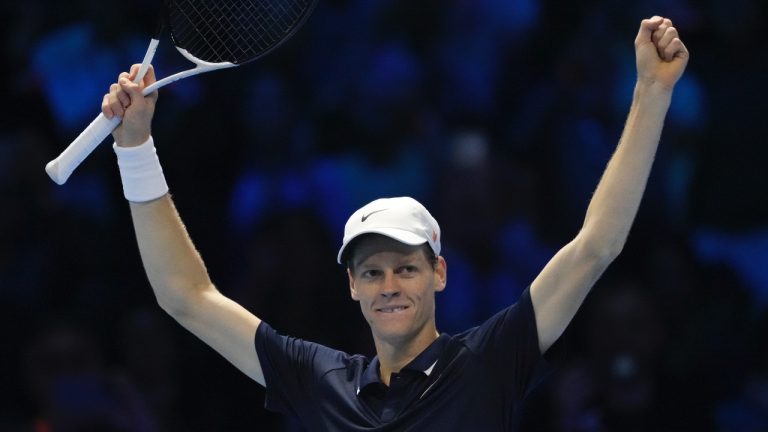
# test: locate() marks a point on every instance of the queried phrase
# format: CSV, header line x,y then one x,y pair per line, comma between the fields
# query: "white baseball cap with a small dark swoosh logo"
x,y
403,219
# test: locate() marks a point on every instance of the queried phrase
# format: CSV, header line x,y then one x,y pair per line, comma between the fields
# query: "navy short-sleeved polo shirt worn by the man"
x,y
475,380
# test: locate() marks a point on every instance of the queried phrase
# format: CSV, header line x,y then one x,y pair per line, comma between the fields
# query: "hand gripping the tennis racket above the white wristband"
x,y
126,101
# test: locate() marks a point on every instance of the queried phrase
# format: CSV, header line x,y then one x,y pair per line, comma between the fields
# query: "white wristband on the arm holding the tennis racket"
x,y
140,171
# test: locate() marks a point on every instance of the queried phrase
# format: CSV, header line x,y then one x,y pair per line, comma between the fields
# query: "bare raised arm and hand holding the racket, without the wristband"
x,y
174,267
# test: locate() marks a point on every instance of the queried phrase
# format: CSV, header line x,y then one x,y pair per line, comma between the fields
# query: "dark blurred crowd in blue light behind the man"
x,y
499,115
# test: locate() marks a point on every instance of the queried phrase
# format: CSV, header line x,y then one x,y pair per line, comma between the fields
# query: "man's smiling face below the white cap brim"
x,y
395,285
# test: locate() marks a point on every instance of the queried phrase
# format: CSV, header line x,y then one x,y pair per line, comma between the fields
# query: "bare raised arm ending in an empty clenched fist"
x,y
559,290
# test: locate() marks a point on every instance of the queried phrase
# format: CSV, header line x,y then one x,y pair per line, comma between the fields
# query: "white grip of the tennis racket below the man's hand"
x,y
62,167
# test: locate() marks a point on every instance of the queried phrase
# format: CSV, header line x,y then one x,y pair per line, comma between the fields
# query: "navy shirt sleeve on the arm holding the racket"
x,y
291,368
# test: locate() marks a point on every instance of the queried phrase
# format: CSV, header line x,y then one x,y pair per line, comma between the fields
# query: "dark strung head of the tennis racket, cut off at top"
x,y
233,31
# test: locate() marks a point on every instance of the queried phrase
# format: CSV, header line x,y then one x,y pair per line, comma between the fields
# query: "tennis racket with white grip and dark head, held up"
x,y
212,34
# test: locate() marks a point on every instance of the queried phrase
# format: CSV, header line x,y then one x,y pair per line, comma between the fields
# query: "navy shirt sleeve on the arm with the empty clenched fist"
x,y
508,343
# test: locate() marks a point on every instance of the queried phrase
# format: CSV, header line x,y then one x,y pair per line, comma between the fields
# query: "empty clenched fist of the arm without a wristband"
x,y
661,55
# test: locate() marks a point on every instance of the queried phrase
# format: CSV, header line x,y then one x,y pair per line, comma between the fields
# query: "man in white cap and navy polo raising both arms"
x,y
420,379
